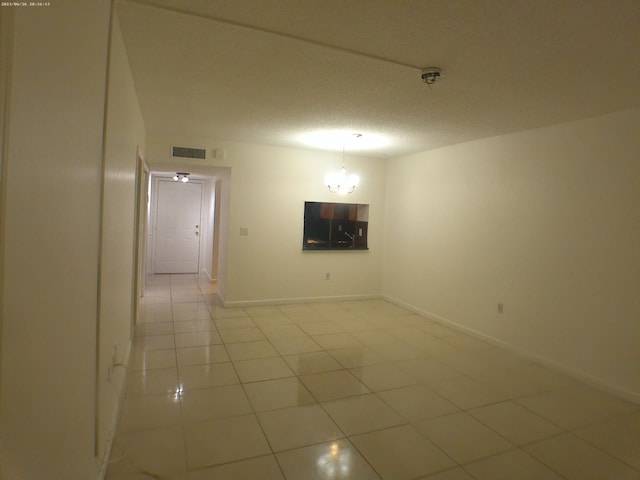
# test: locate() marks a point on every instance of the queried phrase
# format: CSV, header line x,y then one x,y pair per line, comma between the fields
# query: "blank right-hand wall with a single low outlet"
x,y
546,222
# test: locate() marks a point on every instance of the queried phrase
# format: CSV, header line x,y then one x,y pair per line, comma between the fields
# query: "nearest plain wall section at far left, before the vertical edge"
x,y
51,241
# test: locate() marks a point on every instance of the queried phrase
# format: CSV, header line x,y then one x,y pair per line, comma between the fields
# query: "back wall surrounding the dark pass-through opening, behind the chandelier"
x,y
267,191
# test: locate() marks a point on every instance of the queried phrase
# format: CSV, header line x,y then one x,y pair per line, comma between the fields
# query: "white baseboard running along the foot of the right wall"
x,y
560,367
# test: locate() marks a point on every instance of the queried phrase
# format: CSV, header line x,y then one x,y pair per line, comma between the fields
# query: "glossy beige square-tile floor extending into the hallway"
x,y
349,390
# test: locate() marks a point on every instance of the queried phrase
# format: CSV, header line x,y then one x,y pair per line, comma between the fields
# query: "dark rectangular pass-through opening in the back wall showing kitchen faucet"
x,y
335,226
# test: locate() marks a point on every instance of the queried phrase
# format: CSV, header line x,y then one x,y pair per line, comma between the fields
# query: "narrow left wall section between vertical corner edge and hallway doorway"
x,y
125,135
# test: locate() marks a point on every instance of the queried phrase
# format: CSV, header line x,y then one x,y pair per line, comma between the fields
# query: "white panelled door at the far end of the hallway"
x,y
178,227
